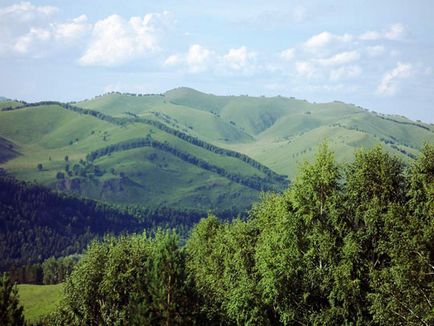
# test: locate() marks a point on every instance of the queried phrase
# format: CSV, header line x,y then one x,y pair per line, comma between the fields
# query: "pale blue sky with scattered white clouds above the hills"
x,y
375,54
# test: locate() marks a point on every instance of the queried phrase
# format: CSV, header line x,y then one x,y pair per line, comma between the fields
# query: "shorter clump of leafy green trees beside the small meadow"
x,y
129,279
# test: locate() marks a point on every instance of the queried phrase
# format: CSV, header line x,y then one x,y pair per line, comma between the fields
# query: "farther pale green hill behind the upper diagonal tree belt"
x,y
279,132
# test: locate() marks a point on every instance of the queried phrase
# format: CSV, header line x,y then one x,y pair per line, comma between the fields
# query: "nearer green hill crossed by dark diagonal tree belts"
x,y
52,144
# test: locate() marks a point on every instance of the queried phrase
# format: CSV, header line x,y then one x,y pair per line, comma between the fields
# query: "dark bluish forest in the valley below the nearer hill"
x,y
37,223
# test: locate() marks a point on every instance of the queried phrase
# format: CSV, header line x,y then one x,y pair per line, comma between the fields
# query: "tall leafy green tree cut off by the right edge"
x,y
405,286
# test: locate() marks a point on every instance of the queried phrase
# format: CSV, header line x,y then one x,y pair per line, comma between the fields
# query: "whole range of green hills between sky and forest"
x,y
185,148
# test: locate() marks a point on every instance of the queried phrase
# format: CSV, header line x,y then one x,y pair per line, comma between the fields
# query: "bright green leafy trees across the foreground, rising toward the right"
x,y
348,244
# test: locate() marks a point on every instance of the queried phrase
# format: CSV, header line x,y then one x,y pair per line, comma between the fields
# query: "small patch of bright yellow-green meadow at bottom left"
x,y
39,300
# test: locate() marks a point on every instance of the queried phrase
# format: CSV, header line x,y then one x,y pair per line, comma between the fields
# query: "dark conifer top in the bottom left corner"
x,y
11,313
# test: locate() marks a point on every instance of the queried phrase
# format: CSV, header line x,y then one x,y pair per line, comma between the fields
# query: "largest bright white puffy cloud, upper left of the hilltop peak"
x,y
116,41
